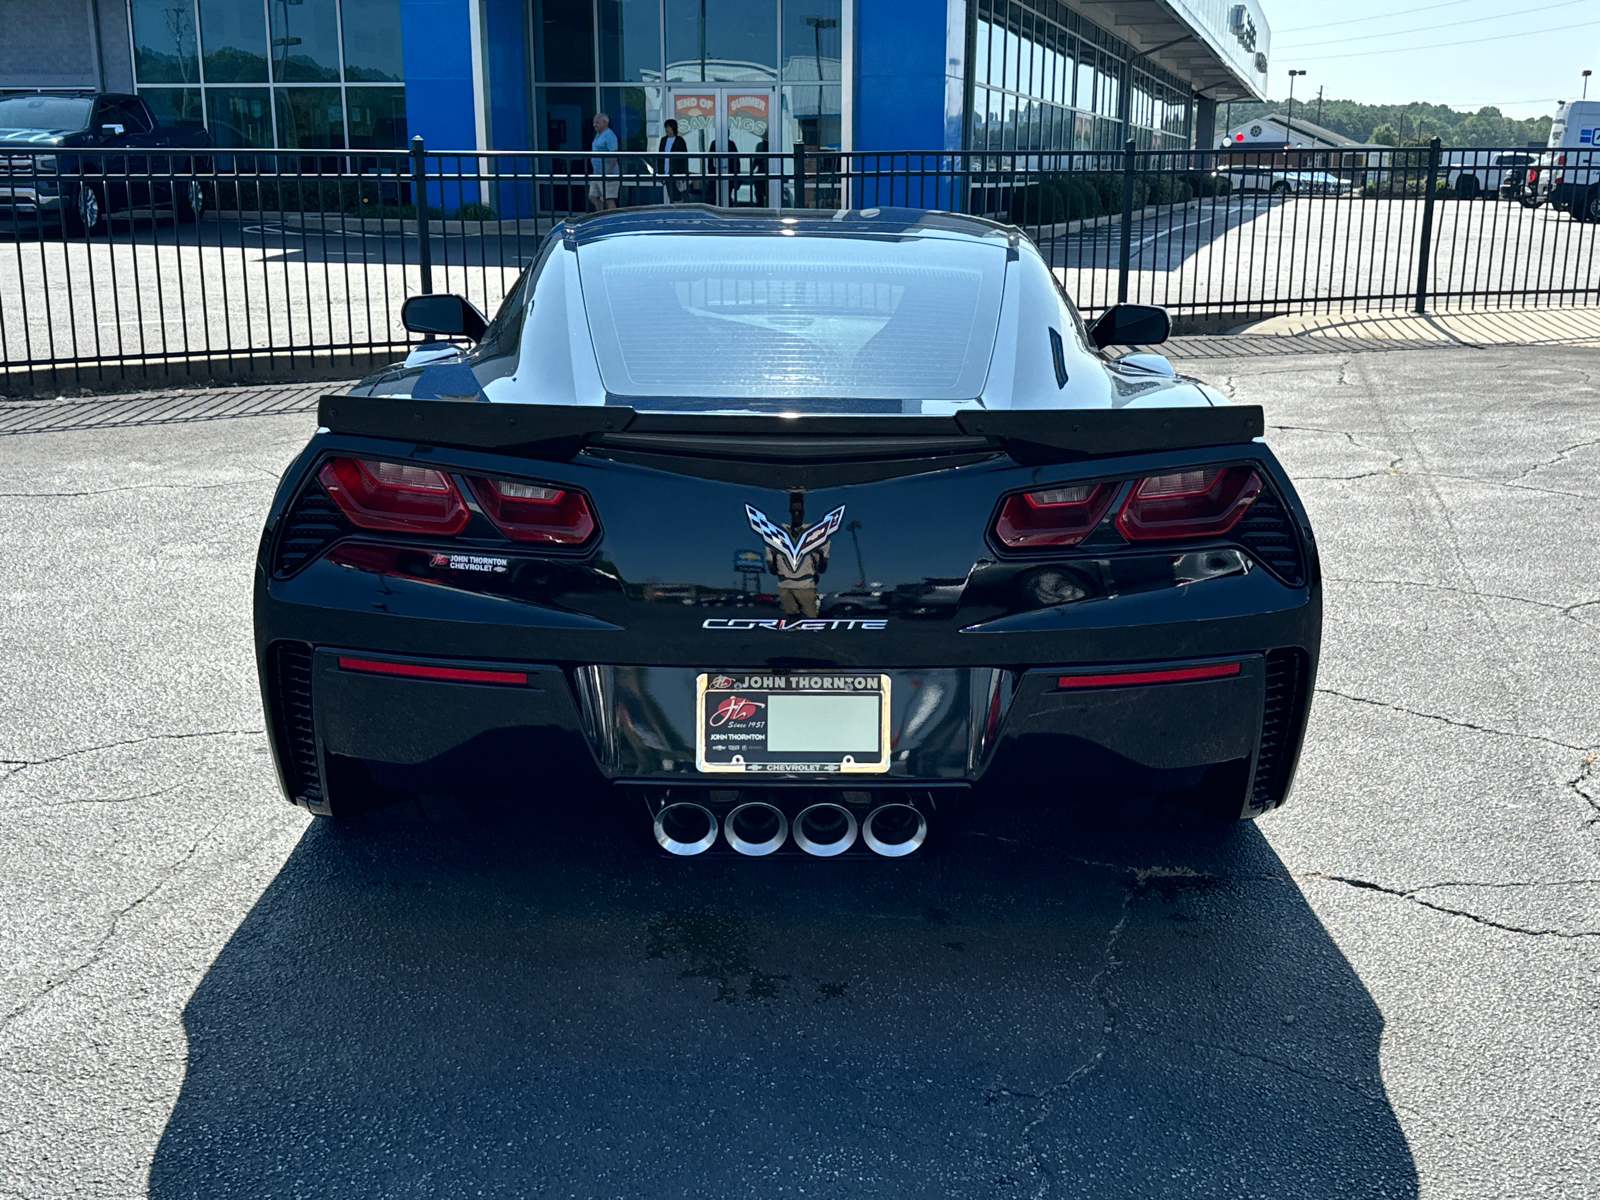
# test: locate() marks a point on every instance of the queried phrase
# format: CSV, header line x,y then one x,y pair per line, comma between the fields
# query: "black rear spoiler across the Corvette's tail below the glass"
x,y
561,431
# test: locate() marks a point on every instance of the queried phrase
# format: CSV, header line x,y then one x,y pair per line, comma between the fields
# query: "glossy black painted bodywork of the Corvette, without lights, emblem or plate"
x,y
612,634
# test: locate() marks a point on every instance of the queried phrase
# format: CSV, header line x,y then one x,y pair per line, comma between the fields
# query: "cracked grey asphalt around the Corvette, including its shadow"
x,y
1386,990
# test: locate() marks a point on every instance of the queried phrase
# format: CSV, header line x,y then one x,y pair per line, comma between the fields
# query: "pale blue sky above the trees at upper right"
x,y
1518,55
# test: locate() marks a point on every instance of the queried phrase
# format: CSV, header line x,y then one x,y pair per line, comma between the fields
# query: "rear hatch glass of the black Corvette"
x,y
710,318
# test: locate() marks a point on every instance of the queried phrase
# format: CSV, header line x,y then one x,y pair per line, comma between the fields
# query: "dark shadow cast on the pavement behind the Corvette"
x,y
498,1007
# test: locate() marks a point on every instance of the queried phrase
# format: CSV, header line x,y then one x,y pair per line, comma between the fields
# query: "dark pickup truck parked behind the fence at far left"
x,y
79,158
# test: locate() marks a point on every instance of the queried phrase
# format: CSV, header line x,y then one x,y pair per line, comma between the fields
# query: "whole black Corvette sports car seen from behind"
x,y
794,529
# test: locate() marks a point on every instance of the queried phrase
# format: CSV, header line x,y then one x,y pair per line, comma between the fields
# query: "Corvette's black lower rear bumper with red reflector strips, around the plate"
x,y
521,727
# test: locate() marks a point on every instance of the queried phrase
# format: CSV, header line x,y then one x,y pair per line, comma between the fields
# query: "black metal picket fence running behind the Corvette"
x,y
148,266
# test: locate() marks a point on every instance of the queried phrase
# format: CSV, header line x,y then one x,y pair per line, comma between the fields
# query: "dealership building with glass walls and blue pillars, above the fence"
x,y
751,74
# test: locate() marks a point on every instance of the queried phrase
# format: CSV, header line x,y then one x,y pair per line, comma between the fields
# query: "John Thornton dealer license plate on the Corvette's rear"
x,y
825,722
